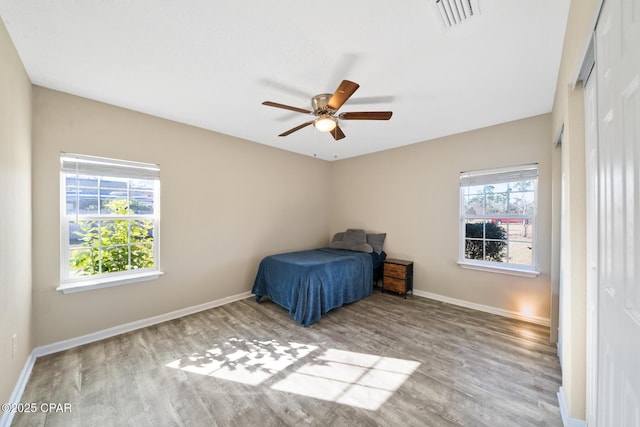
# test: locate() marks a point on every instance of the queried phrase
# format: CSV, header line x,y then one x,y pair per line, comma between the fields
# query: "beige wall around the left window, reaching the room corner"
x,y
226,203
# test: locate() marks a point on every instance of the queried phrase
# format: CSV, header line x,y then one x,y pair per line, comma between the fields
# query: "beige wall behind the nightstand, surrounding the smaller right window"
x,y
412,194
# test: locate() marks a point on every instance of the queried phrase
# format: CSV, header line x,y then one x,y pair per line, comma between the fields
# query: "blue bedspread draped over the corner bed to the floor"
x,y
310,283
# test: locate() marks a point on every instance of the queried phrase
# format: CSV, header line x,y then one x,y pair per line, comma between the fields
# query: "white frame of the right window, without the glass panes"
x,y
494,177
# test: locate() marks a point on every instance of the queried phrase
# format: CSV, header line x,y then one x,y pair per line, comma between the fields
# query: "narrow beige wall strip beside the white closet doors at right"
x,y
568,111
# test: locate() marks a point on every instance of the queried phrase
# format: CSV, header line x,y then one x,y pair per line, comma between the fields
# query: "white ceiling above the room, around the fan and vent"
x,y
211,63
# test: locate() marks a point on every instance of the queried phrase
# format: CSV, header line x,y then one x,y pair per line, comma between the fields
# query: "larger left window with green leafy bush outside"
x,y
110,222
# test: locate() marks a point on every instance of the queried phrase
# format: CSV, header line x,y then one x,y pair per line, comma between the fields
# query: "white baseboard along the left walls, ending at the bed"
x,y
5,420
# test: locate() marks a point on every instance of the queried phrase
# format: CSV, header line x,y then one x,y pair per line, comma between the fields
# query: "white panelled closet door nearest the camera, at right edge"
x,y
618,211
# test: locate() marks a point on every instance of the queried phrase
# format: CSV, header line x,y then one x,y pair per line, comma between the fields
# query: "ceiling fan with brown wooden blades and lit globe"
x,y
325,107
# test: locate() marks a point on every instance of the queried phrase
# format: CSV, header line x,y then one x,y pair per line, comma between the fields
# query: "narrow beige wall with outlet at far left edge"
x,y
15,215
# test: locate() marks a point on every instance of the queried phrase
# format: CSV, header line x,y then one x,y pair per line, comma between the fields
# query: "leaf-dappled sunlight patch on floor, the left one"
x,y
248,362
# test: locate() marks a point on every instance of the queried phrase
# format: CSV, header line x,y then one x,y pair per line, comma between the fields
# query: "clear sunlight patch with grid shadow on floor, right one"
x,y
356,379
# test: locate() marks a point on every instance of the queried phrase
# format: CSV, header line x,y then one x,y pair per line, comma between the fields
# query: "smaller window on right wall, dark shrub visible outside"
x,y
497,220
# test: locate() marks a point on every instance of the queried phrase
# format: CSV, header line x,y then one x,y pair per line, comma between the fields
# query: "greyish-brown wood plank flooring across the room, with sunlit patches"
x,y
382,361
